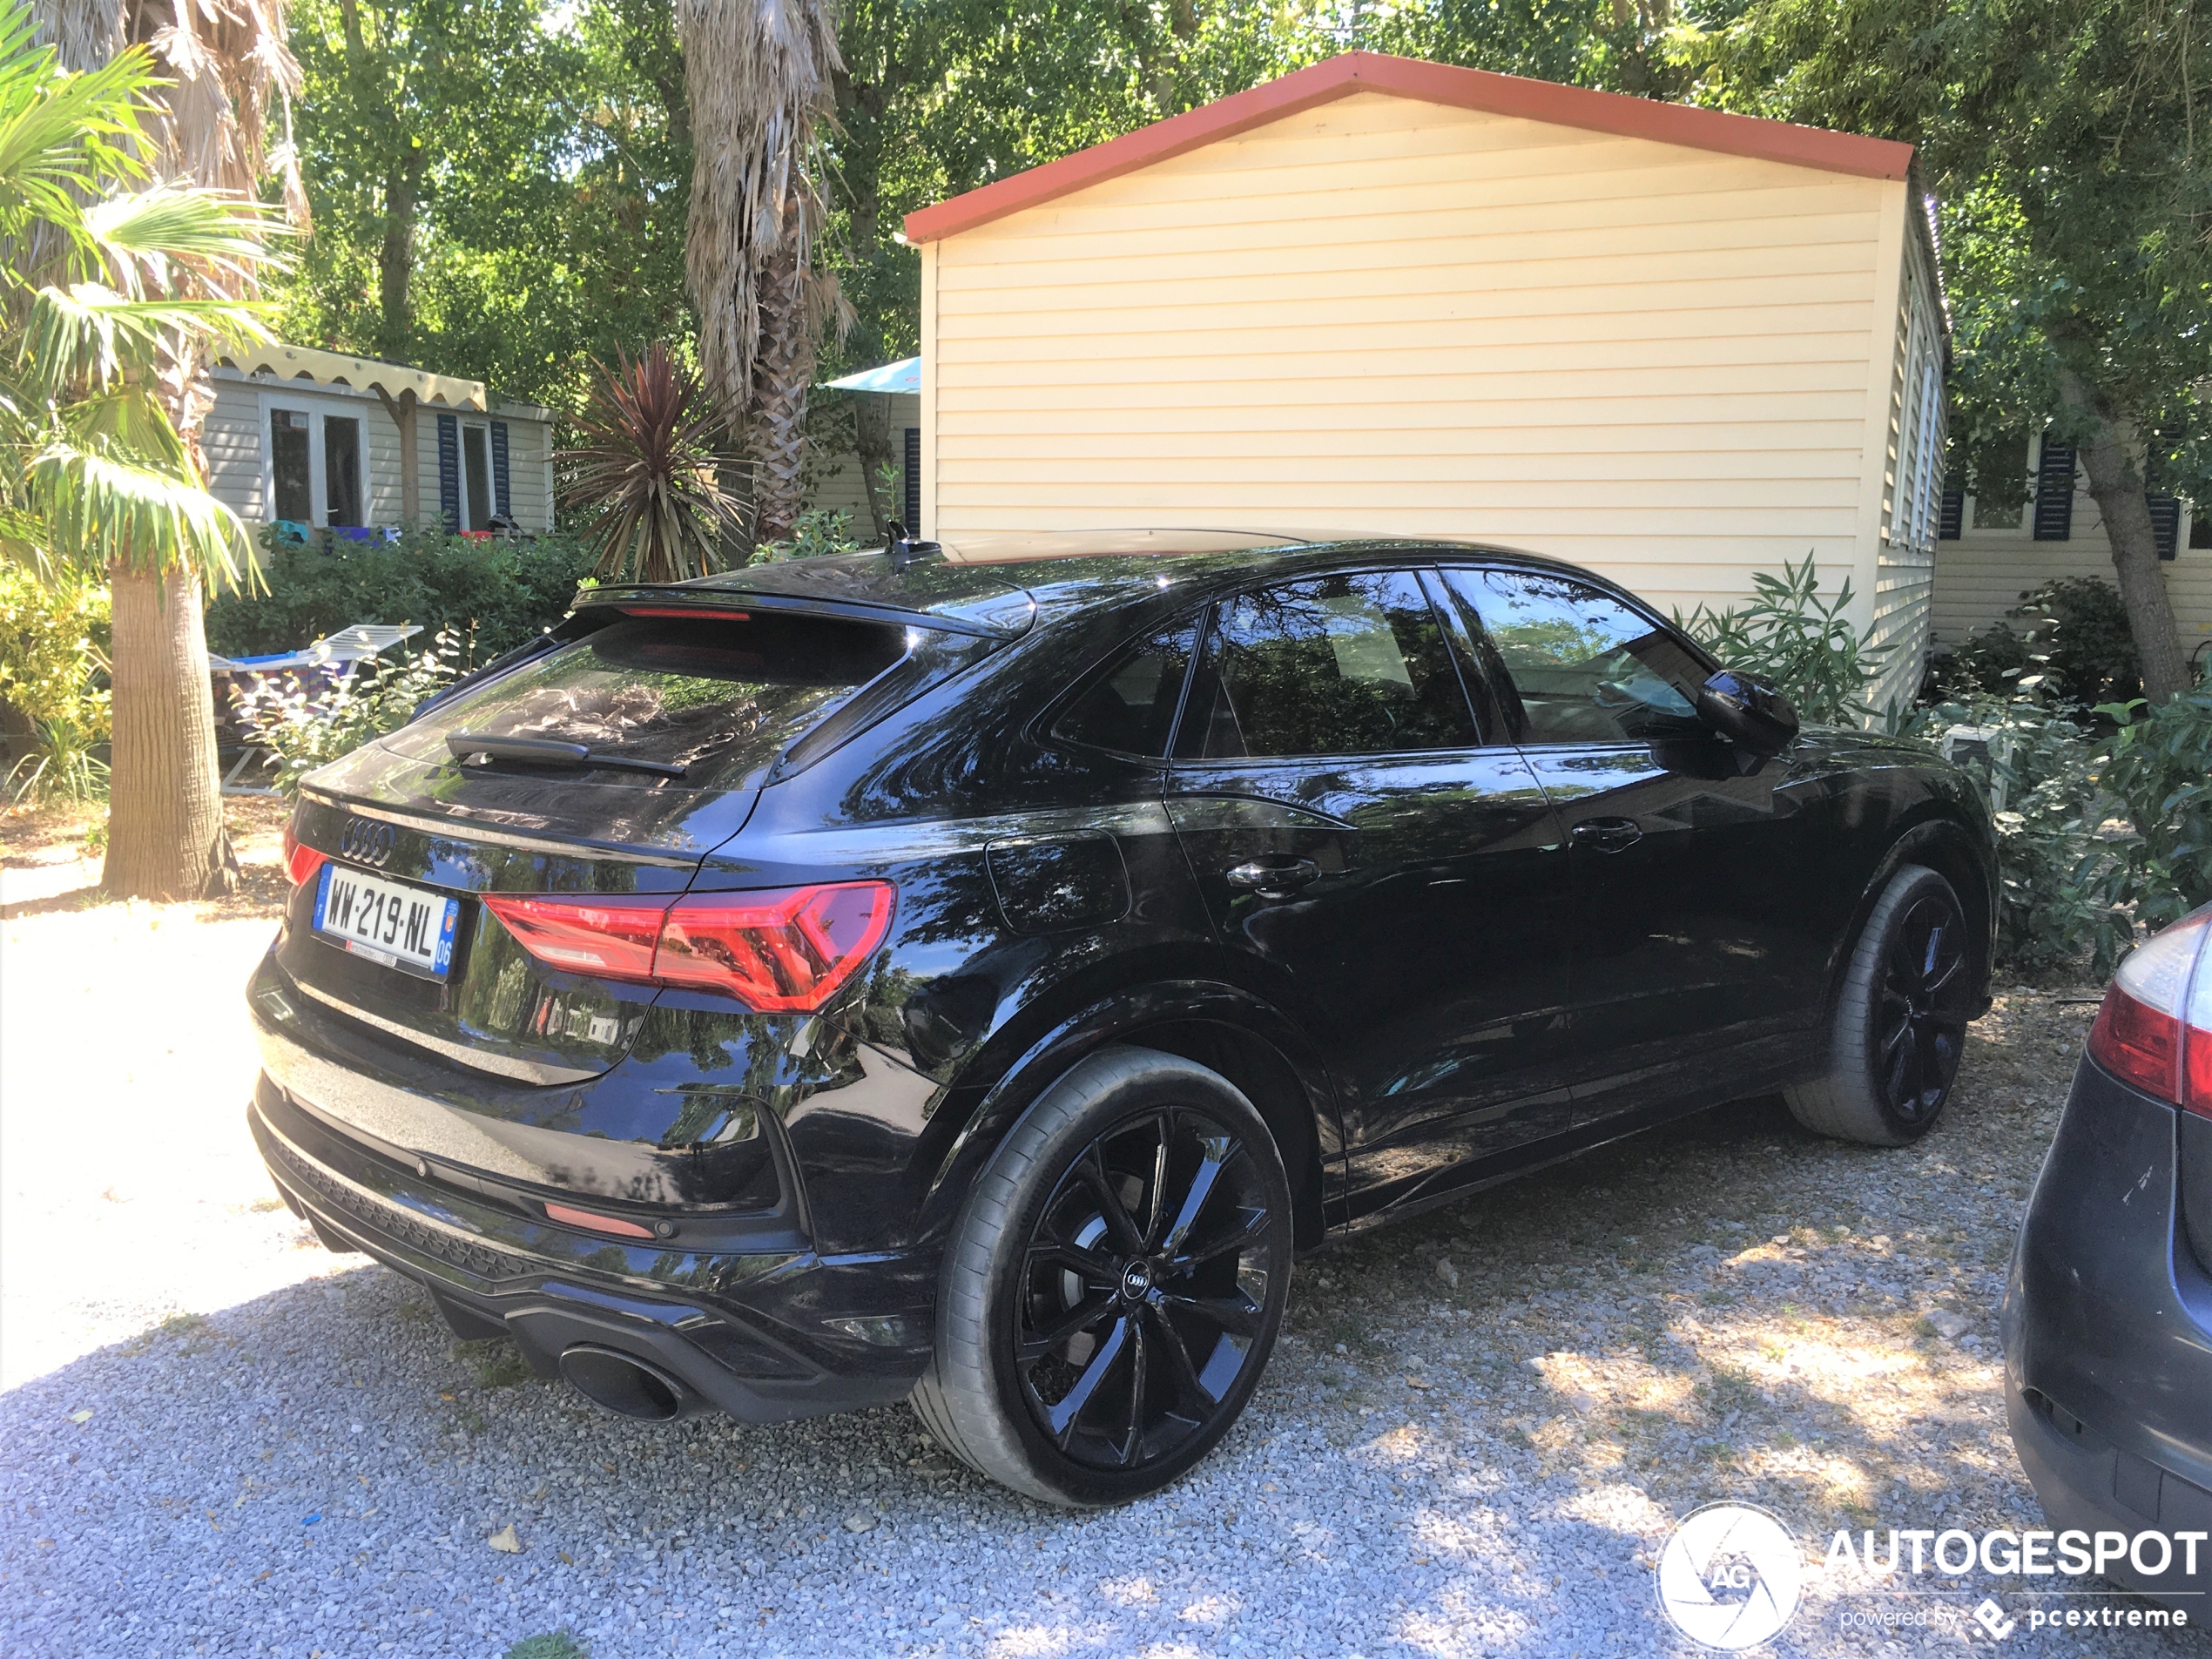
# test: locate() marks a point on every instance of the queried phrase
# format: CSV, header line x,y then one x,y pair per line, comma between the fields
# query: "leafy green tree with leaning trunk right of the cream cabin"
x,y
2060,138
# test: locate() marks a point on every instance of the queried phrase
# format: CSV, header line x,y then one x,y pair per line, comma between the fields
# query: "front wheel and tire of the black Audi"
x,y
1901,1019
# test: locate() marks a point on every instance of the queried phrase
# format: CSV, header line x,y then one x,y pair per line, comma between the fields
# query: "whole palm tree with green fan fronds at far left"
x,y
116,284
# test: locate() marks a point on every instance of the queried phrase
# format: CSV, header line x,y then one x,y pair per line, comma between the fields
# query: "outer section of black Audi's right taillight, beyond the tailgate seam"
x,y
780,950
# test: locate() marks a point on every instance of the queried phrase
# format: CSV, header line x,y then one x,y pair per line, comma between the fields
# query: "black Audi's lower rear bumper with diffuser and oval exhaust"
x,y
744,1331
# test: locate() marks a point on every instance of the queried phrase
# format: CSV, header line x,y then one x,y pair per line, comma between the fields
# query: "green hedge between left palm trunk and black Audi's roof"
x,y
492,596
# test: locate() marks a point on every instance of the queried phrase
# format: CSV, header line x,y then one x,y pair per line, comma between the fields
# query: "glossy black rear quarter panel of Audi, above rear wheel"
x,y
1032,884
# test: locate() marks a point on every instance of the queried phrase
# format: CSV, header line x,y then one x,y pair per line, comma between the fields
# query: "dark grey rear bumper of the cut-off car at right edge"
x,y
2109,1339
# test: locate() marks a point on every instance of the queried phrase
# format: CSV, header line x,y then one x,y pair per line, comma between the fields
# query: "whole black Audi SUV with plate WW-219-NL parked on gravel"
x,y
979,979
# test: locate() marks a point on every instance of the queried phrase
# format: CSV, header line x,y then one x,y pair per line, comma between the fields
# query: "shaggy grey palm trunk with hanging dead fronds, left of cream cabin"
x,y
760,85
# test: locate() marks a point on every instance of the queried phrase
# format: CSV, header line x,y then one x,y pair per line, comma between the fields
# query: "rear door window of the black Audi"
x,y
1339,665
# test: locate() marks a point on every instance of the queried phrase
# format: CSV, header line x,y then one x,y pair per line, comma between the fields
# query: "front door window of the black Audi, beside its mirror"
x,y
1585,667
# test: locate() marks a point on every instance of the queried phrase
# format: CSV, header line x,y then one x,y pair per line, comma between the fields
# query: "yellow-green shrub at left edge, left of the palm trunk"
x,y
54,678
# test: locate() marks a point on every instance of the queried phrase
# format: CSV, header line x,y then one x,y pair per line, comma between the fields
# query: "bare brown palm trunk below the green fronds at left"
x,y
167,835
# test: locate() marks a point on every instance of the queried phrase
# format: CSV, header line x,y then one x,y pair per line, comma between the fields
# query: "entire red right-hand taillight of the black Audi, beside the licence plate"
x,y
780,952
